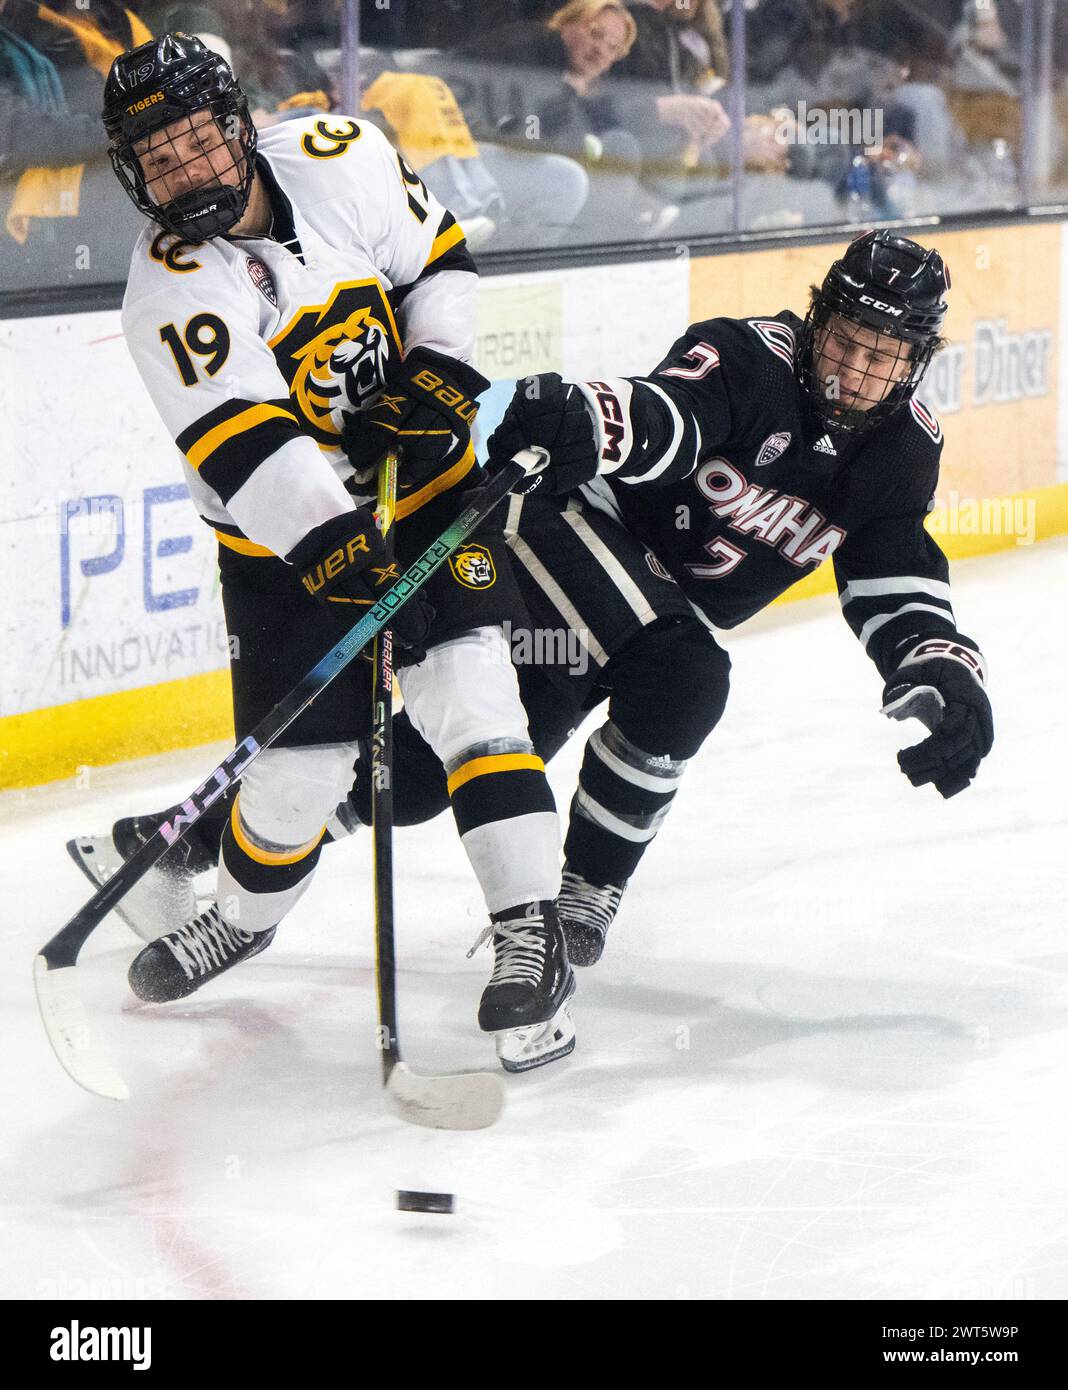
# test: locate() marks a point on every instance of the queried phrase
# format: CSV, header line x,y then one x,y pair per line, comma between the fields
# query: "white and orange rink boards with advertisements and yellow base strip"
x,y
118,648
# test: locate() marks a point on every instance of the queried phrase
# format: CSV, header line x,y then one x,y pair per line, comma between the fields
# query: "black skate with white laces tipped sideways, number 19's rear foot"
x,y
180,963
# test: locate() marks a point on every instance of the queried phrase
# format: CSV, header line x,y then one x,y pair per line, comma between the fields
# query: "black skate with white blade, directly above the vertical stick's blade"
x,y
526,1001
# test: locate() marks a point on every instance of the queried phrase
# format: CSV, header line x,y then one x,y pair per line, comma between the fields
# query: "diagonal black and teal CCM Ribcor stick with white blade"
x,y
62,1010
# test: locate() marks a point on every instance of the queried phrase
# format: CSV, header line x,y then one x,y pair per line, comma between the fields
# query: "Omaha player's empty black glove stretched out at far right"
x,y
942,685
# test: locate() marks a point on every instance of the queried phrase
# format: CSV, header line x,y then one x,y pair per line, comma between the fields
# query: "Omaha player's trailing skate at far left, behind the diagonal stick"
x,y
163,900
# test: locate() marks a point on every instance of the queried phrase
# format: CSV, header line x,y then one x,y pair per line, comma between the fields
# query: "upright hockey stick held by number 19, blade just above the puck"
x,y
467,1102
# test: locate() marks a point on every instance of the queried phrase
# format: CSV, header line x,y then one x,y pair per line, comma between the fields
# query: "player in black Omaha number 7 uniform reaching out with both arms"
x,y
689,500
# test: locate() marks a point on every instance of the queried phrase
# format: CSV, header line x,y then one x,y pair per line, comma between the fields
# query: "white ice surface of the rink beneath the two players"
x,y
824,1056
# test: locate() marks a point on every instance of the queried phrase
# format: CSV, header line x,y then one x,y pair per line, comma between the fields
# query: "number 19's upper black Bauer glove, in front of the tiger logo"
x,y
426,409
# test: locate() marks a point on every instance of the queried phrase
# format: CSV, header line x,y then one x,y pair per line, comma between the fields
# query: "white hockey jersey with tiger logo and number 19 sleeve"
x,y
254,350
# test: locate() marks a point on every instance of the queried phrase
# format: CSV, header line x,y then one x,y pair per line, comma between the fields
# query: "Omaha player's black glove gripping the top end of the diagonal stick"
x,y
553,414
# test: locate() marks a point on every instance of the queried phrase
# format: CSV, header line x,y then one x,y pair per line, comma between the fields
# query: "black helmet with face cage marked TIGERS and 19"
x,y
162,84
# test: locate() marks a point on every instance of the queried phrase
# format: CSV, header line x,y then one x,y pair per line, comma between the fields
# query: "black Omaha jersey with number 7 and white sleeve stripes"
x,y
717,464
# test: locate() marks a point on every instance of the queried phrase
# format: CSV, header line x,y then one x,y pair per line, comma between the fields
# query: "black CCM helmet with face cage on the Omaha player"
x,y
895,288
